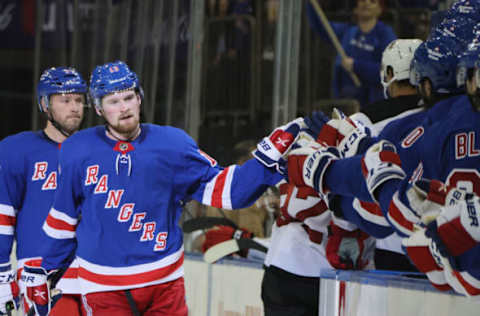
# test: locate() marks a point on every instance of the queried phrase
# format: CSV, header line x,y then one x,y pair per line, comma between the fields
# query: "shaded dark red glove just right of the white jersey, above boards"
x,y
349,248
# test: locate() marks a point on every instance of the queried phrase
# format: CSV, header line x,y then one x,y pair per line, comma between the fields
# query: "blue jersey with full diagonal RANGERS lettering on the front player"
x,y
121,202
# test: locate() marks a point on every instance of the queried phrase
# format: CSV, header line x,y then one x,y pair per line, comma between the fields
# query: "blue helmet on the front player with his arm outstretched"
x,y
112,77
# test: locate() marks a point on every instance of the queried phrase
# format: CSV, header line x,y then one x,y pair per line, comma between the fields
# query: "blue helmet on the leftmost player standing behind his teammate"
x,y
58,80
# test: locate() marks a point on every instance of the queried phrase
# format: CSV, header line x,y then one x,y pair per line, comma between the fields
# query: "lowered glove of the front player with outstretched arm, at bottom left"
x,y
40,291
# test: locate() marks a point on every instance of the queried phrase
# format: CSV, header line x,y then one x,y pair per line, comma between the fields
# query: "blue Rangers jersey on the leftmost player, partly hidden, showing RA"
x,y
28,177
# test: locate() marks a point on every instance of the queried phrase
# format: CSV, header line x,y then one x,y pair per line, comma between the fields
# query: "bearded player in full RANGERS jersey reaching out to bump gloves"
x,y
121,191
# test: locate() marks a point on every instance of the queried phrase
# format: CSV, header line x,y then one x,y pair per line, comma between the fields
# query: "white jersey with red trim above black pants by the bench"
x,y
299,234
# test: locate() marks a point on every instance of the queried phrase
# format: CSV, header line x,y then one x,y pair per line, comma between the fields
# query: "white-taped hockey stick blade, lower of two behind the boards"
x,y
228,247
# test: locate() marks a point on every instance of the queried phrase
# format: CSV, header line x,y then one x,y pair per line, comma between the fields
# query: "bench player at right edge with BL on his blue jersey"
x,y
447,251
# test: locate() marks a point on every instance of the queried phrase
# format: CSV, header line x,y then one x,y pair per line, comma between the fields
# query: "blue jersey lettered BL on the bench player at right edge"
x,y
450,152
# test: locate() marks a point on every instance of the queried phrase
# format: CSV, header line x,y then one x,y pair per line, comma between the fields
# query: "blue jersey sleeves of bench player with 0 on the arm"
x,y
344,177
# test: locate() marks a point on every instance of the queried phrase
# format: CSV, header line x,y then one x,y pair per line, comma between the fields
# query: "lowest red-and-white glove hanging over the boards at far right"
x,y
425,255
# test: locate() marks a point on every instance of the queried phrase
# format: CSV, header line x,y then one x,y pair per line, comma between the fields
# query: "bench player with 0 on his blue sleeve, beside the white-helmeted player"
x,y
434,85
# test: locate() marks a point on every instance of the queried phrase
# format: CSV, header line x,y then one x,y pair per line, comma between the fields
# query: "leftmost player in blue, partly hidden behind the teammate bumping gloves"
x,y
28,173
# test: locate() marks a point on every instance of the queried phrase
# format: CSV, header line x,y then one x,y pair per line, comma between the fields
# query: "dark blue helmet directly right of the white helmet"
x,y
435,59
